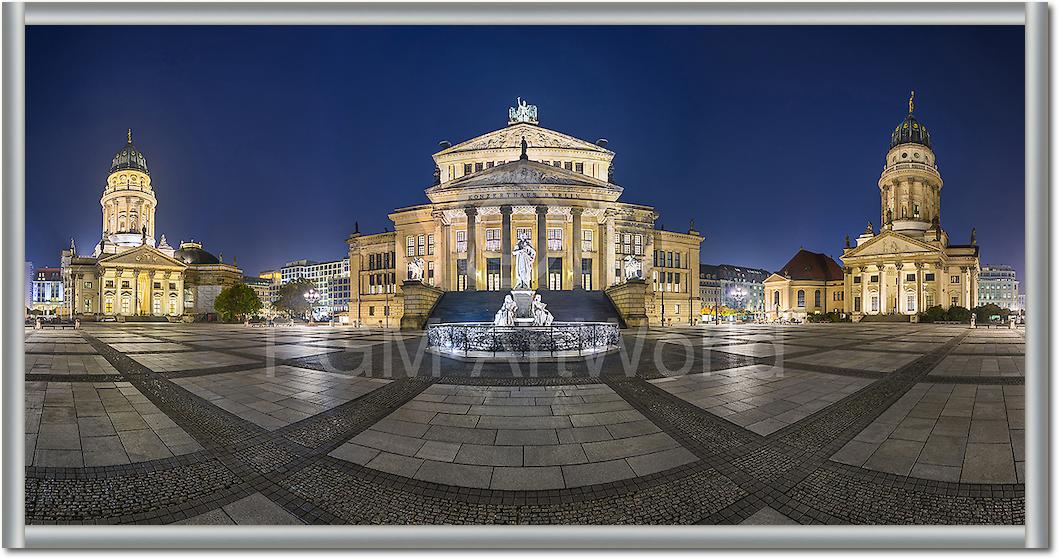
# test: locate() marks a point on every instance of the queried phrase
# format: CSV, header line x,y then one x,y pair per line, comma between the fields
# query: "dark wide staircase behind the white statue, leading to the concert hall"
x,y
566,305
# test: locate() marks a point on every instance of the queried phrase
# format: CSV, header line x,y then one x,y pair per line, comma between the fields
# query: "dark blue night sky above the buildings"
x,y
268,143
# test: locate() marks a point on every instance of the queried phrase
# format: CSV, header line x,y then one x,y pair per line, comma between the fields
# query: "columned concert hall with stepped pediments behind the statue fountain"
x,y
551,189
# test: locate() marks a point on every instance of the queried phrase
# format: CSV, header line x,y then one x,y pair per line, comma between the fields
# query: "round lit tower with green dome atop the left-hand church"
x,y
129,201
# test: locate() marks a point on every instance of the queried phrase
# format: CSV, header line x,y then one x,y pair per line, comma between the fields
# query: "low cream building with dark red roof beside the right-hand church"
x,y
810,283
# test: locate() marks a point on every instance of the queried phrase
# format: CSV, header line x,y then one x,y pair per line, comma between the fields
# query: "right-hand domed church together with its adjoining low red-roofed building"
x,y
899,269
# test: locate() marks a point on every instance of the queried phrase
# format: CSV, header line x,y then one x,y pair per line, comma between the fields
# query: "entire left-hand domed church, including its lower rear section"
x,y
130,275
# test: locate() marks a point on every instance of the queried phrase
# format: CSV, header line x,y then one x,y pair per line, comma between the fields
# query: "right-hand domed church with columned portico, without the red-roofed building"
x,y
908,263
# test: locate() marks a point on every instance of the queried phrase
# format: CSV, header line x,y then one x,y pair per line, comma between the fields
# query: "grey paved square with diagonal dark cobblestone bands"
x,y
172,424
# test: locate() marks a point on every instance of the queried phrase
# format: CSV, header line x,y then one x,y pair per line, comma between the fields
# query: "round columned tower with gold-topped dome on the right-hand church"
x,y
910,183
